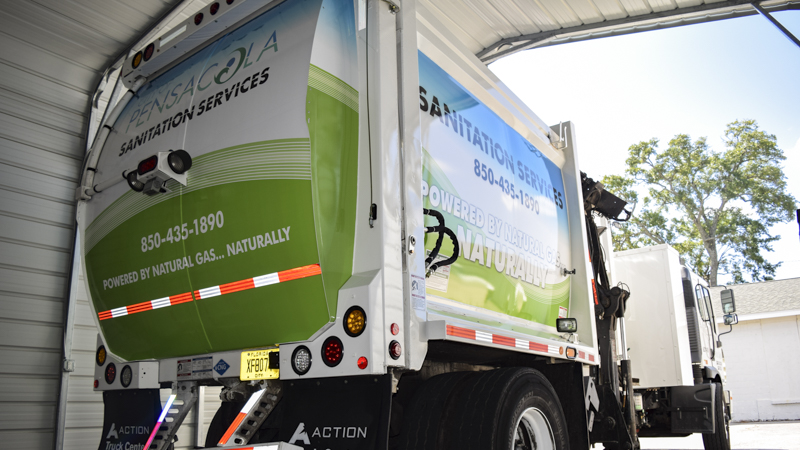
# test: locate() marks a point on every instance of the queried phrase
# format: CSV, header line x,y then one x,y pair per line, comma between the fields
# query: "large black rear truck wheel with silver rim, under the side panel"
x,y
507,409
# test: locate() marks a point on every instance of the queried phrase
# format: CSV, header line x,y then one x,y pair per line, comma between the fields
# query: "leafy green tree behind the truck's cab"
x,y
715,208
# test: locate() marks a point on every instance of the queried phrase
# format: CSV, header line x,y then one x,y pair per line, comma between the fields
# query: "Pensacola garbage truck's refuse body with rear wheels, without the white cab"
x,y
335,212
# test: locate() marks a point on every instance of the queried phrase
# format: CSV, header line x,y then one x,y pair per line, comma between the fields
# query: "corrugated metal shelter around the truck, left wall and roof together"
x,y
55,81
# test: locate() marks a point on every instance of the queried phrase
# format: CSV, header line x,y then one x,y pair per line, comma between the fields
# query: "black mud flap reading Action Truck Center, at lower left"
x,y
129,418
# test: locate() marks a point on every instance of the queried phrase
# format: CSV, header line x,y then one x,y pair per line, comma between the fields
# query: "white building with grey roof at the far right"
x,y
761,352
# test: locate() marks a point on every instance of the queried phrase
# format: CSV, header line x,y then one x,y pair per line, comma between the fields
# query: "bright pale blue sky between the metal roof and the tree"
x,y
693,79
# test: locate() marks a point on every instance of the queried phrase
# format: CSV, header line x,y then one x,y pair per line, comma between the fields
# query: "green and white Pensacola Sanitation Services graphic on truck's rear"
x,y
269,114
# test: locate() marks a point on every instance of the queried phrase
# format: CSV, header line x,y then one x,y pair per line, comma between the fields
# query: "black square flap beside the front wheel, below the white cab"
x,y
692,408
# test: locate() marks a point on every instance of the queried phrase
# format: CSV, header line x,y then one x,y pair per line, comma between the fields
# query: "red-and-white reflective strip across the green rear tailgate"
x,y
214,291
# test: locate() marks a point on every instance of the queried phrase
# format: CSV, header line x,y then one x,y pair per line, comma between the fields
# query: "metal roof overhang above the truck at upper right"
x,y
497,28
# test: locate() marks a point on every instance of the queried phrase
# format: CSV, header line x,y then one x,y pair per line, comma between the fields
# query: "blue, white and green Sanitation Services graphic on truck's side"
x,y
502,197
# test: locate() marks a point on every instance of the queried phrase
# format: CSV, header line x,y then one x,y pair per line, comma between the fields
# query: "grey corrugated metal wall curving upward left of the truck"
x,y
52,53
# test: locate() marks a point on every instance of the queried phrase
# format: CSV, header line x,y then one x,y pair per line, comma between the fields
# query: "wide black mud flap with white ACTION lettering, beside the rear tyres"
x,y
349,413
